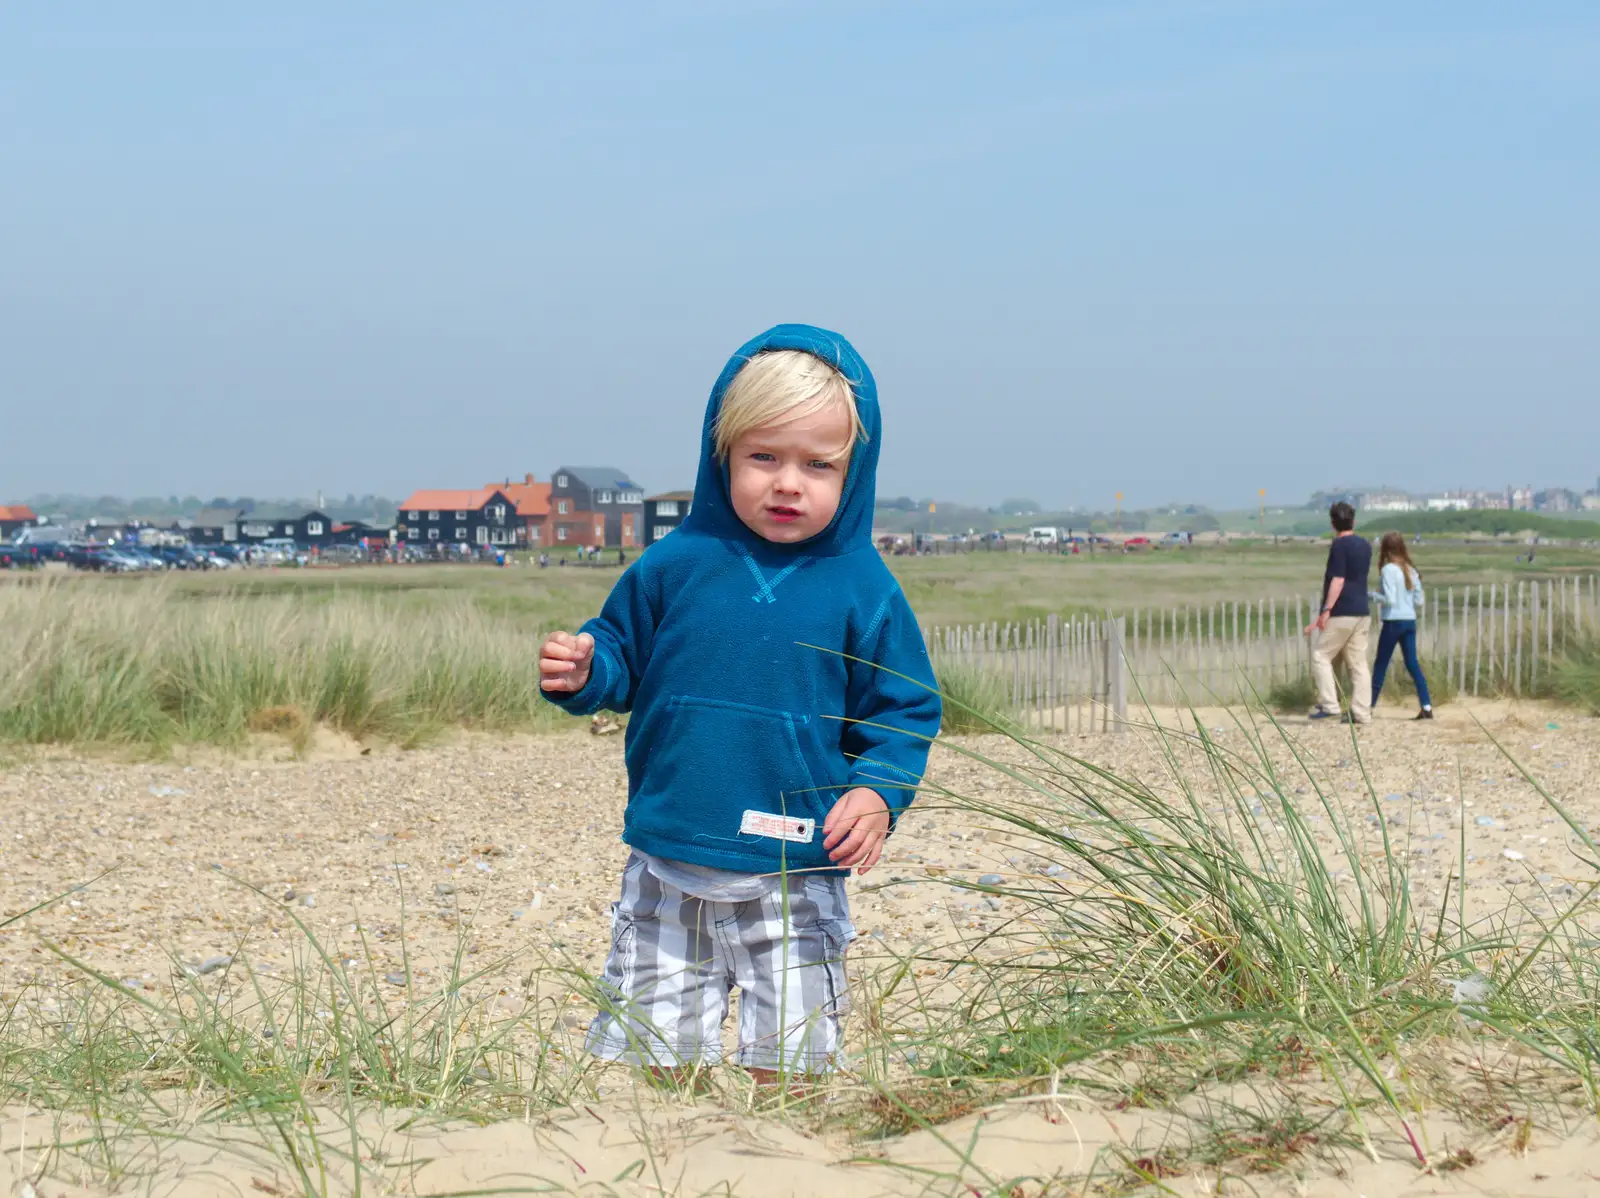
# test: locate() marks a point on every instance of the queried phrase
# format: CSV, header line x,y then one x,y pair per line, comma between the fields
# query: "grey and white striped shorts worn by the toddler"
x,y
676,960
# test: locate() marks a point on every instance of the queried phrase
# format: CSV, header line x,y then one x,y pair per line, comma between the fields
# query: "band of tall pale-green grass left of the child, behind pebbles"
x,y
153,666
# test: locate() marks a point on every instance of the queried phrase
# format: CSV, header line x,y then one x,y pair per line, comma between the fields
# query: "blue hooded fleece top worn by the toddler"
x,y
764,681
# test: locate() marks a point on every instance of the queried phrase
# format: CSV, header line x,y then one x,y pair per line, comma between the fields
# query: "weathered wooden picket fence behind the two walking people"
x,y
1078,674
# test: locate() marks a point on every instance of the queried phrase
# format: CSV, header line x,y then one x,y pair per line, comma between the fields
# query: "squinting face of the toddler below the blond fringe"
x,y
785,487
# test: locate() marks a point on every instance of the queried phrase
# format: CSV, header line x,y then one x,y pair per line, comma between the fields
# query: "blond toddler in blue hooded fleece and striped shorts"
x,y
783,708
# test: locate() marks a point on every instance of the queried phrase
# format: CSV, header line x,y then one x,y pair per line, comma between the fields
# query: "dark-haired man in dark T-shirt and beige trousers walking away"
x,y
1342,628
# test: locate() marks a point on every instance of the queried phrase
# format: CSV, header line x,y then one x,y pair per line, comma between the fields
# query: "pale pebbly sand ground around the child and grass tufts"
x,y
506,853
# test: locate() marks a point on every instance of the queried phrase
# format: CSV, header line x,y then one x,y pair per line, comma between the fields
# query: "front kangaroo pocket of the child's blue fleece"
x,y
721,761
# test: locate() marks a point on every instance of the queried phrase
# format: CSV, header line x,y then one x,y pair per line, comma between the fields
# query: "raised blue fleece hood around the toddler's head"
x,y
852,525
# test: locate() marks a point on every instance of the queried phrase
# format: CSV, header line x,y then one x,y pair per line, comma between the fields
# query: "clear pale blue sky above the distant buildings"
x,y
1180,250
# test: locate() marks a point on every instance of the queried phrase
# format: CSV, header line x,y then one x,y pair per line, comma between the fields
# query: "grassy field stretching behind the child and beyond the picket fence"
x,y
402,653
